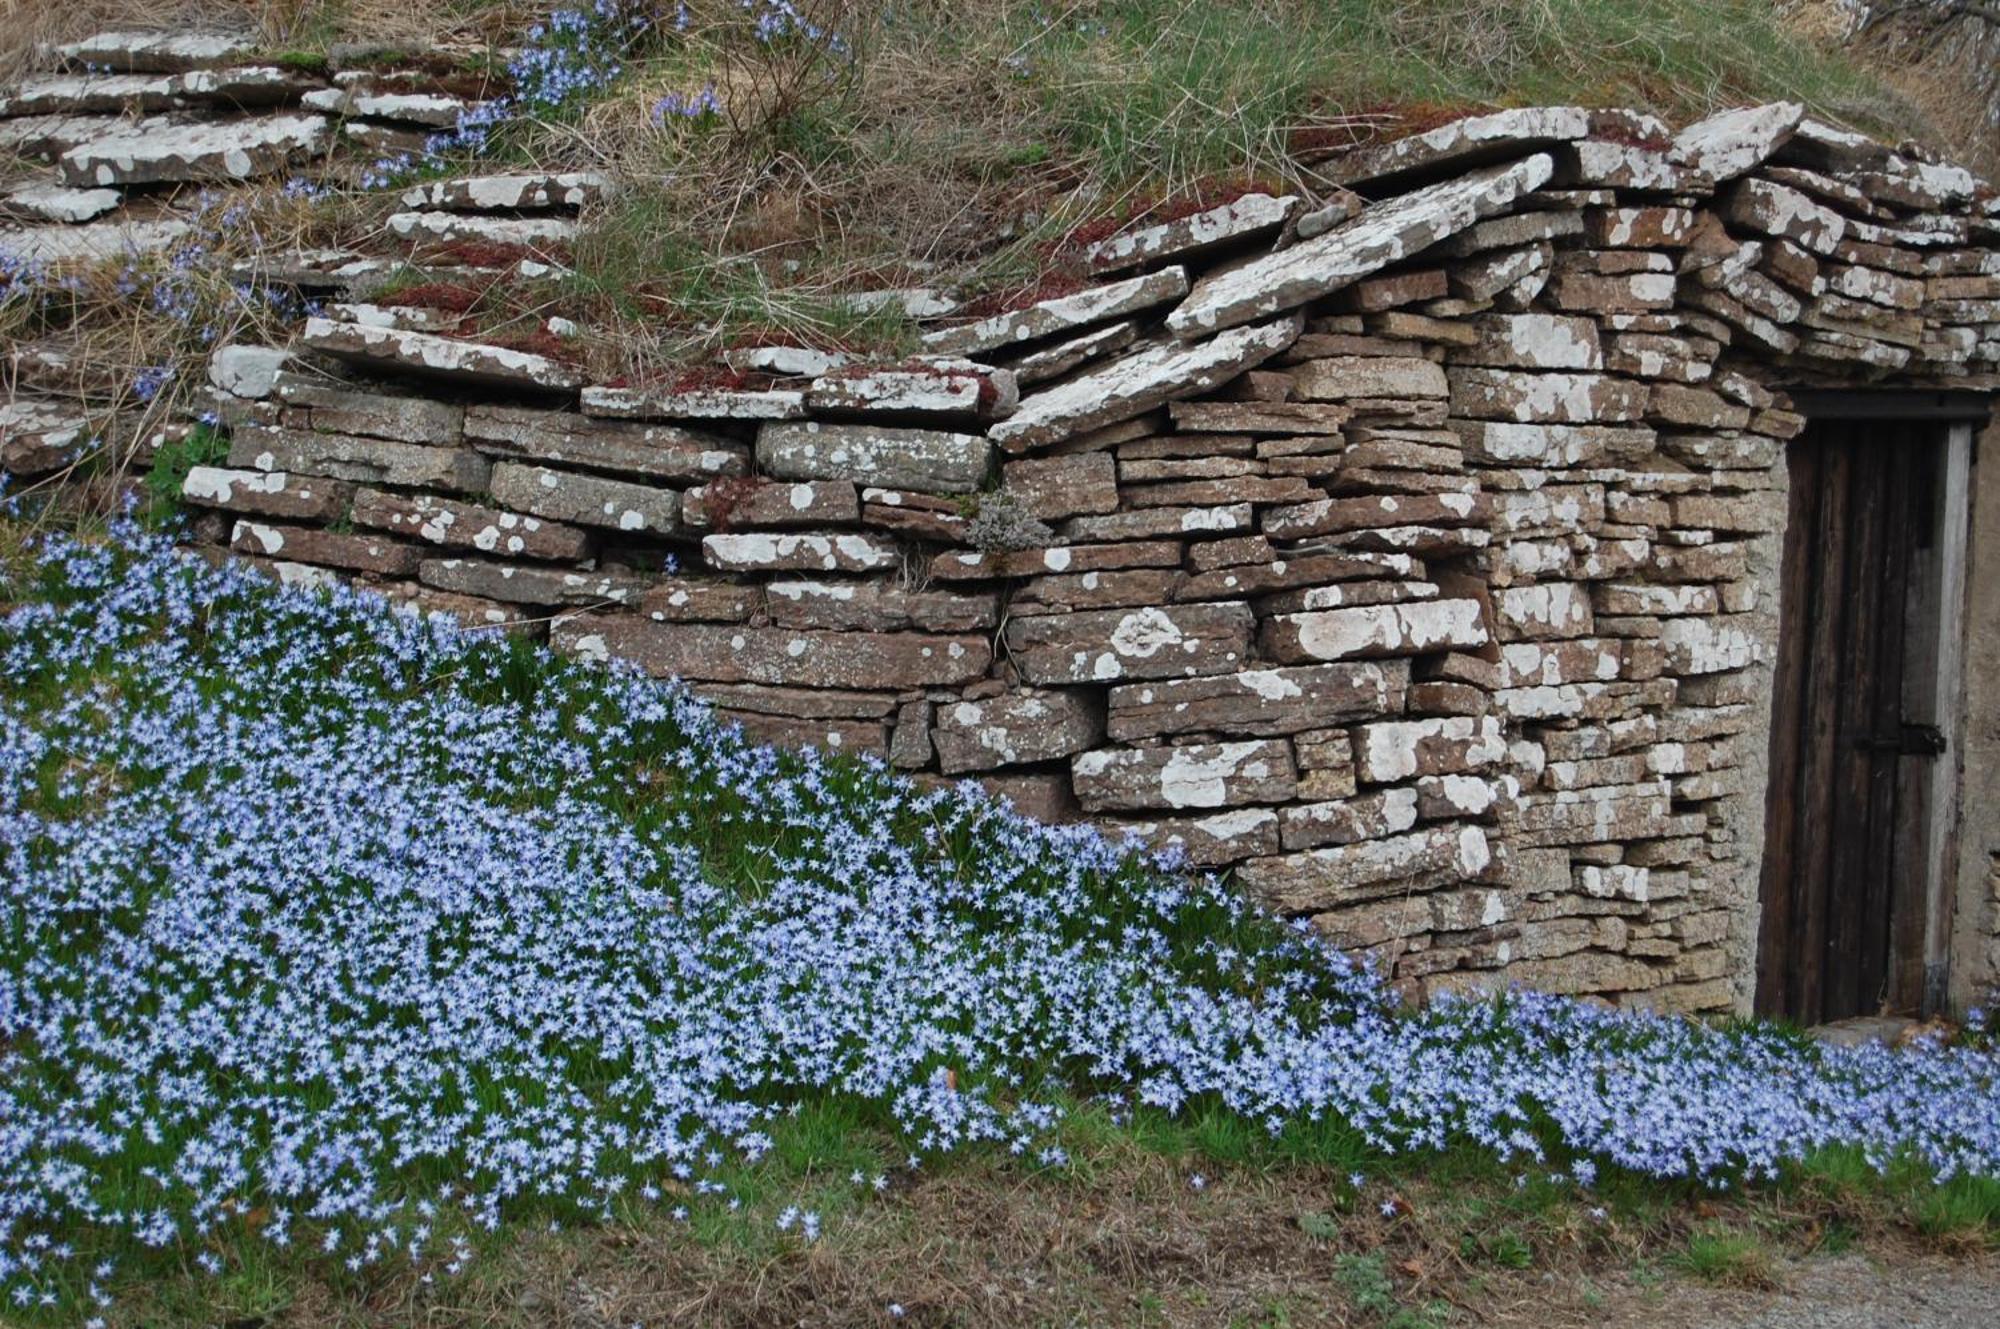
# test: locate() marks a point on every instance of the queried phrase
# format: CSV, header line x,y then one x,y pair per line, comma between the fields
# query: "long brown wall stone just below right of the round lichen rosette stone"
x,y
1259,702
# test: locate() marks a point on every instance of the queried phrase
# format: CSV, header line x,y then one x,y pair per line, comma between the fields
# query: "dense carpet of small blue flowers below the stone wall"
x,y
363,924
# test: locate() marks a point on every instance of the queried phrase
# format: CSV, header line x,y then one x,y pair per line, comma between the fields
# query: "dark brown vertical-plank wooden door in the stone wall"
x,y
1847,822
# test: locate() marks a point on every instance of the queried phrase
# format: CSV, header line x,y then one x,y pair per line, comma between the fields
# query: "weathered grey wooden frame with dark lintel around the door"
x,y
1937,631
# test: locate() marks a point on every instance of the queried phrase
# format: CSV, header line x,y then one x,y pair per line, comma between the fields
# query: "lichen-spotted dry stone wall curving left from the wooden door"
x,y
1409,551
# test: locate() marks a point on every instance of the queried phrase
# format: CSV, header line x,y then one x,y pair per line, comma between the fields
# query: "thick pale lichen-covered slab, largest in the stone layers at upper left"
x,y
175,149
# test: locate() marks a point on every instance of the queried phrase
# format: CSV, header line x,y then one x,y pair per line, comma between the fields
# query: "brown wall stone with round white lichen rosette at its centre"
x,y
1131,643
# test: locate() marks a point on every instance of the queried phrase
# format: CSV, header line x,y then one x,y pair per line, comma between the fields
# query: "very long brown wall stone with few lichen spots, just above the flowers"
x,y
779,657
